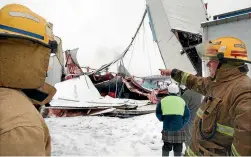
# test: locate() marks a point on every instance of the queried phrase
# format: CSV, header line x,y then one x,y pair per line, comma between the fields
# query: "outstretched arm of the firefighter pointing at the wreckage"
x,y
198,84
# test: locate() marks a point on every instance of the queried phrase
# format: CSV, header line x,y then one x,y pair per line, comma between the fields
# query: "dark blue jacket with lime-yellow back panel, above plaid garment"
x,y
173,122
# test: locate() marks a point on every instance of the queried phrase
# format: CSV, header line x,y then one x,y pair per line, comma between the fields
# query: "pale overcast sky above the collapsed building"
x,y
105,27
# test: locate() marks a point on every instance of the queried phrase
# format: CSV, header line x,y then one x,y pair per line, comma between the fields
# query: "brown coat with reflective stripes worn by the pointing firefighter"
x,y
222,126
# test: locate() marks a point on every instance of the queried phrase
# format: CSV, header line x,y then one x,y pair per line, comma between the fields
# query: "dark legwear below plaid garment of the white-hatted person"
x,y
176,147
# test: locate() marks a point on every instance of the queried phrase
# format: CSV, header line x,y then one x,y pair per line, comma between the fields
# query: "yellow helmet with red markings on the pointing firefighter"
x,y
226,48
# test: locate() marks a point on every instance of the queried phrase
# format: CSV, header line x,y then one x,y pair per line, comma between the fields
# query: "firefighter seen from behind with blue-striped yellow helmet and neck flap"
x,y
25,46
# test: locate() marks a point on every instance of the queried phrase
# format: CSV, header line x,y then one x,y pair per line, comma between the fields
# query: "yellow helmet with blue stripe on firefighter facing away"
x,y
18,21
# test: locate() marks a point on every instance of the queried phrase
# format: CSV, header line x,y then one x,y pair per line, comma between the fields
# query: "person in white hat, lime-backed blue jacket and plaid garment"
x,y
174,113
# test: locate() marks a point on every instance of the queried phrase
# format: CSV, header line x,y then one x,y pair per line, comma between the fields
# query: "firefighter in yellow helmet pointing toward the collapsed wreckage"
x,y
222,126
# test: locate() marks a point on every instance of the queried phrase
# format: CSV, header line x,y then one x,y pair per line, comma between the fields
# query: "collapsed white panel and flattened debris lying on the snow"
x,y
78,96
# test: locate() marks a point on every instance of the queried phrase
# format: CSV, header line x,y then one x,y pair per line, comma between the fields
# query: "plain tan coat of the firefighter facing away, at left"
x,y
23,131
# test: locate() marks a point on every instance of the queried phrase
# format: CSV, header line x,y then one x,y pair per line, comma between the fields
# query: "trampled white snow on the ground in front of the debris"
x,y
106,136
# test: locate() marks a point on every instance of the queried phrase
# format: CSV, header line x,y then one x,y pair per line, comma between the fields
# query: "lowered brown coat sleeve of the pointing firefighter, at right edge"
x,y
241,145
